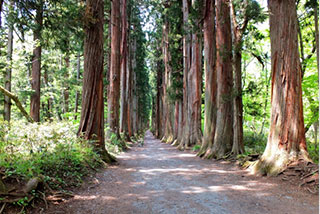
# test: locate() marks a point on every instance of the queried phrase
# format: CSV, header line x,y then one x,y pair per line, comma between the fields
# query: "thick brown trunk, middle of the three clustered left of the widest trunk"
x,y
224,132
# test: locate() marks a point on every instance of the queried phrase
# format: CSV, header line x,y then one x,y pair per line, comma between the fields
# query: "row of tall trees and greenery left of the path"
x,y
79,61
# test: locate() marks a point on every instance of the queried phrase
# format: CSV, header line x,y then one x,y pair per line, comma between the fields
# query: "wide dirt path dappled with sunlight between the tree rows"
x,y
157,178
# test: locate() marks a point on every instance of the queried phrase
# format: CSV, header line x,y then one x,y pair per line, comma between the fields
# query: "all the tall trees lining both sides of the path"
x,y
224,78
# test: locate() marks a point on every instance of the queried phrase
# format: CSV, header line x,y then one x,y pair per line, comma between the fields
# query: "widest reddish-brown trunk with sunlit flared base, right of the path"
x,y
286,137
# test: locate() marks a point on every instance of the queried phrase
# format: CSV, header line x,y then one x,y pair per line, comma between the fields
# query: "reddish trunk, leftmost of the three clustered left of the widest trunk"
x,y
210,105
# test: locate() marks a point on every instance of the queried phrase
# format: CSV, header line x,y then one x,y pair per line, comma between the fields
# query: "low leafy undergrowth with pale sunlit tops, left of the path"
x,y
48,149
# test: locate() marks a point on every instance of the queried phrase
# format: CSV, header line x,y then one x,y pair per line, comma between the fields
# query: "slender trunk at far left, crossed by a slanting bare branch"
x,y
7,80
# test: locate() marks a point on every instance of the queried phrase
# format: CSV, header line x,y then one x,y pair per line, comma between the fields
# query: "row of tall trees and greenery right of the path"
x,y
204,95
